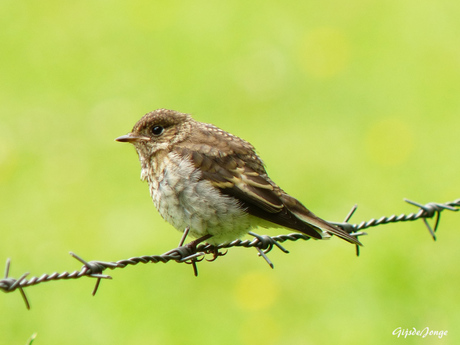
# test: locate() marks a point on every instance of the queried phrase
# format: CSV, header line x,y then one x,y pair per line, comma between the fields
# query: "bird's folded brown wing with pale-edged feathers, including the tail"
x,y
233,166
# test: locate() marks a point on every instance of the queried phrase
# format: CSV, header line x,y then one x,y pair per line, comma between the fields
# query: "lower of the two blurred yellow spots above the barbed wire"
x,y
389,142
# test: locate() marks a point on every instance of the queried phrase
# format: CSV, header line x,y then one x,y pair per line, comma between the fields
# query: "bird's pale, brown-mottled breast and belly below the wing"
x,y
185,199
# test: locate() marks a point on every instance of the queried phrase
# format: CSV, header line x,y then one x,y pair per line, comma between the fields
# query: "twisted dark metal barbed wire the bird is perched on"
x,y
195,251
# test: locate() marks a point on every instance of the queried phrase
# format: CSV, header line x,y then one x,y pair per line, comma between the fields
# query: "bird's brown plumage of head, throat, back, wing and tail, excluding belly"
x,y
228,162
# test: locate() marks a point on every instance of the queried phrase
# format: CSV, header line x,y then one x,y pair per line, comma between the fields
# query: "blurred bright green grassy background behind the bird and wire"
x,y
346,102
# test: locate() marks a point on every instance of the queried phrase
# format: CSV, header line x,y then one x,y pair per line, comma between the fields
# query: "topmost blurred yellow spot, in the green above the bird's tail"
x,y
324,52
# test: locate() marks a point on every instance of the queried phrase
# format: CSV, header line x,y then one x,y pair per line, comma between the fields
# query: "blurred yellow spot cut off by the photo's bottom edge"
x,y
259,329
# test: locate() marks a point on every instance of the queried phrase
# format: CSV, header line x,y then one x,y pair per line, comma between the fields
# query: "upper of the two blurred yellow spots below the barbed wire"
x,y
255,291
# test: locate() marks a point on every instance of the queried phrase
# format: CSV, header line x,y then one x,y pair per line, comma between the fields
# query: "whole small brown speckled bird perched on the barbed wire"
x,y
212,182
